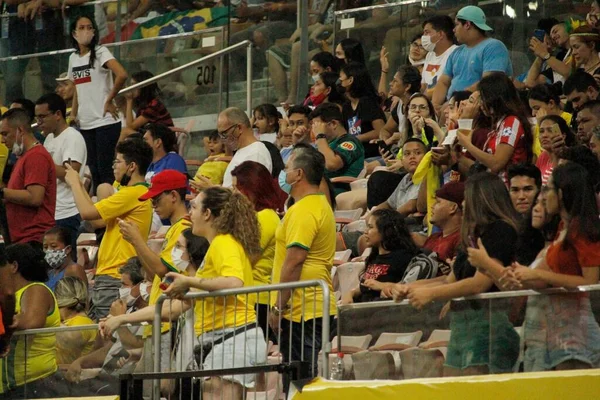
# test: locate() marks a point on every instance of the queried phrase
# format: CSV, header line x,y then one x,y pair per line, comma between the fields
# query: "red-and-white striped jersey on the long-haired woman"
x,y
509,131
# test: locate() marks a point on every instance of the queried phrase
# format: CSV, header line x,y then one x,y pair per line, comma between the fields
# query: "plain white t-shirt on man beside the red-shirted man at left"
x,y
68,144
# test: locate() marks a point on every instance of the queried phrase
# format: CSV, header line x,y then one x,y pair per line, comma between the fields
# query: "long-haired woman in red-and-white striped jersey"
x,y
511,141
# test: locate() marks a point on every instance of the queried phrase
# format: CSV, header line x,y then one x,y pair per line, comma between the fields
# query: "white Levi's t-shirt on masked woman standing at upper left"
x,y
93,86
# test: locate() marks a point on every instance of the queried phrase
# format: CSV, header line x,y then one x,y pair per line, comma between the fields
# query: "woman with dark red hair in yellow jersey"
x,y
254,181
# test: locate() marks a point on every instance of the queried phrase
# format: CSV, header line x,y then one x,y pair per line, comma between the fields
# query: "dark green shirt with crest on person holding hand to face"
x,y
351,150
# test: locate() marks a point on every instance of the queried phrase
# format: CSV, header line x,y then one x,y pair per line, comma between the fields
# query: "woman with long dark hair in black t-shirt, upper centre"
x,y
362,112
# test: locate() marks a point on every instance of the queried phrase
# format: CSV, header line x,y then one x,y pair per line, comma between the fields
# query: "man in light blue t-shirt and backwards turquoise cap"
x,y
477,57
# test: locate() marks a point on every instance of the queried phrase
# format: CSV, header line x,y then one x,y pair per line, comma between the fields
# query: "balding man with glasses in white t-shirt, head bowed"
x,y
235,130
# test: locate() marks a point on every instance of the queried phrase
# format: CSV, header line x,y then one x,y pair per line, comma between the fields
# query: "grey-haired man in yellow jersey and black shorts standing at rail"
x,y
304,250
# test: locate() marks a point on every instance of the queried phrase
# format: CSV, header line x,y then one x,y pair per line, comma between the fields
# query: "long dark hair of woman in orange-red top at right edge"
x,y
578,200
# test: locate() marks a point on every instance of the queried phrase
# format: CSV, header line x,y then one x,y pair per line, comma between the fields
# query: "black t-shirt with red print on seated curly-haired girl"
x,y
385,268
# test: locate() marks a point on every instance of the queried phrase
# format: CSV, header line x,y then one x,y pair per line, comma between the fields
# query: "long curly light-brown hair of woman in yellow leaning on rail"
x,y
234,215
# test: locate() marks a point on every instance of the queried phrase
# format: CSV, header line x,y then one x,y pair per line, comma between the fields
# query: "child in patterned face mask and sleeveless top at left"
x,y
58,254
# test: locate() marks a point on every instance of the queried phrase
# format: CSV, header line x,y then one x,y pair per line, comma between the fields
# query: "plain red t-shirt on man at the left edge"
x,y
26,223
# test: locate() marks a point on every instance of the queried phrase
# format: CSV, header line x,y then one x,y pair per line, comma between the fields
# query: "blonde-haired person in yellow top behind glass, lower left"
x,y
72,297
